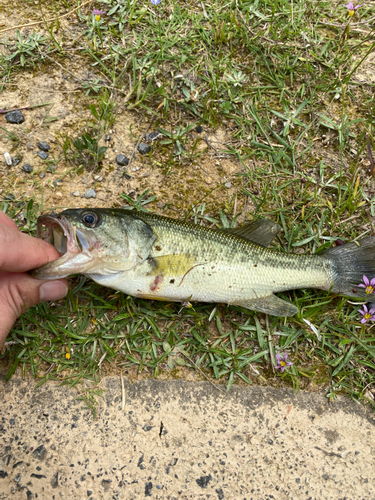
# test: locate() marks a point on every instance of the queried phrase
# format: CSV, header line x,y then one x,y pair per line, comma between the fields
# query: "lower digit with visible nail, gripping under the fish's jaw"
x,y
19,291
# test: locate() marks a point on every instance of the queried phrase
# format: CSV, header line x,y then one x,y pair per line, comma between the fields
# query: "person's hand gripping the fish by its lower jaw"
x,y
19,253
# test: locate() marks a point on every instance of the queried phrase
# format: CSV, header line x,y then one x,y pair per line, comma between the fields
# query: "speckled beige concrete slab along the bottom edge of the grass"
x,y
183,440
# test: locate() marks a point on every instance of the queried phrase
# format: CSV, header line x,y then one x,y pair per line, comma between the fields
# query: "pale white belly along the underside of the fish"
x,y
212,282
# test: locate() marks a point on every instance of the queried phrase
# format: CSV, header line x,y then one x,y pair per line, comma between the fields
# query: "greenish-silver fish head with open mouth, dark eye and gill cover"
x,y
94,241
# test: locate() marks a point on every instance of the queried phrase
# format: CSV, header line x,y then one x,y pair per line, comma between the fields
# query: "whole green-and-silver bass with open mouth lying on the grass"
x,y
151,256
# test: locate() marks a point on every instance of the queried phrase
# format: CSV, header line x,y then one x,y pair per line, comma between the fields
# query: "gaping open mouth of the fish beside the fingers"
x,y
76,255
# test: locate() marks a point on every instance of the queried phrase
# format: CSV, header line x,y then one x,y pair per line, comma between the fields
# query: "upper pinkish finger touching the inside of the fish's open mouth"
x,y
20,252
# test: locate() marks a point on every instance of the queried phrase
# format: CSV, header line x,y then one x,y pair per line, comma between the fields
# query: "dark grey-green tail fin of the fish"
x,y
349,263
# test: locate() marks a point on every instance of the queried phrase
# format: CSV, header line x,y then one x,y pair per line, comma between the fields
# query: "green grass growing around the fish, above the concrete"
x,y
282,78
